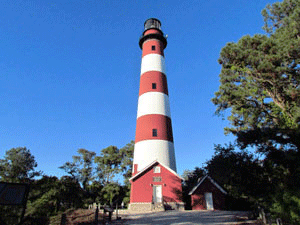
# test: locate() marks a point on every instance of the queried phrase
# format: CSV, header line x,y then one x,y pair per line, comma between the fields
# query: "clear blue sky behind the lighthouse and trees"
x,y
70,73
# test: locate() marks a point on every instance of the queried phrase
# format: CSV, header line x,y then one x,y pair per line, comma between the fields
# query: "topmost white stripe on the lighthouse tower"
x,y
153,62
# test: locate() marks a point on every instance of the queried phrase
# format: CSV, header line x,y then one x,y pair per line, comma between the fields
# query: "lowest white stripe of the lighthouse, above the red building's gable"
x,y
145,152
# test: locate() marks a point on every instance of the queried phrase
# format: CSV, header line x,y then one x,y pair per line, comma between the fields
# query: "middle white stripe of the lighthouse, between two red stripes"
x,y
154,103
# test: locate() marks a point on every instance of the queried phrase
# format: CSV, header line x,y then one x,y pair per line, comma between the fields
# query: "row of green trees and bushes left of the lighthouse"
x,y
50,196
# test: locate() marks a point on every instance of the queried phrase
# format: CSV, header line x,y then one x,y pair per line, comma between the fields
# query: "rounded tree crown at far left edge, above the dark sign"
x,y
18,166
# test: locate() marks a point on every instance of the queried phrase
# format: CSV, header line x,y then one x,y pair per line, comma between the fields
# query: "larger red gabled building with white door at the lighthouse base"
x,y
156,187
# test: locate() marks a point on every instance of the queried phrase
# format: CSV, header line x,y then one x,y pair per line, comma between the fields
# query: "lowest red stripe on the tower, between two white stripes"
x,y
145,125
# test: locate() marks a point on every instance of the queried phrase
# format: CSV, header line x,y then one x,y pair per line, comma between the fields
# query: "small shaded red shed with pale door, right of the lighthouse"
x,y
208,195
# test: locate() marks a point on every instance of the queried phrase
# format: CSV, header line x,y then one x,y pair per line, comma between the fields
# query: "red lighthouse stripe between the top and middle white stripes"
x,y
153,77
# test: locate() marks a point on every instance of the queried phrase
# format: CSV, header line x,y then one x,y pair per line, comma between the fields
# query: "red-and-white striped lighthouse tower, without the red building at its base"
x,y
154,137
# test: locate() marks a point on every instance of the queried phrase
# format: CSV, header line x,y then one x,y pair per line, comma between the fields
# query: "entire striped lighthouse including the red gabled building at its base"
x,y
155,183
